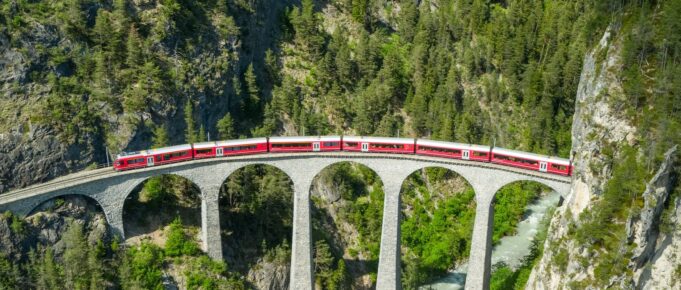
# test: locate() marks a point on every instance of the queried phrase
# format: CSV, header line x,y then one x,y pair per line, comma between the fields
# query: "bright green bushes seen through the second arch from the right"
x,y
437,228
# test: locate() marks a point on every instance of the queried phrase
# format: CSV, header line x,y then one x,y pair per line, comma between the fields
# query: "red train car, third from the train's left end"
x,y
305,144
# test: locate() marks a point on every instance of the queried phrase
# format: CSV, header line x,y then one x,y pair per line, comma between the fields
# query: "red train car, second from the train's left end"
x,y
229,148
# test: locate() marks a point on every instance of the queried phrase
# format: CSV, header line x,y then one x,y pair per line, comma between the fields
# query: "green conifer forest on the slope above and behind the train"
x,y
371,68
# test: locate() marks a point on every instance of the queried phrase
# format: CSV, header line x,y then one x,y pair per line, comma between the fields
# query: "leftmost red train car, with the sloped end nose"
x,y
153,157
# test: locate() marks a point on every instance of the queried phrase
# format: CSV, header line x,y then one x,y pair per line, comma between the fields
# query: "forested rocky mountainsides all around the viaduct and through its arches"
x,y
83,77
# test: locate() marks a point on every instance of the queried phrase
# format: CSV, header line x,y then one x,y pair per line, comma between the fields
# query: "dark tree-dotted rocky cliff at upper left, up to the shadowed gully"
x,y
78,78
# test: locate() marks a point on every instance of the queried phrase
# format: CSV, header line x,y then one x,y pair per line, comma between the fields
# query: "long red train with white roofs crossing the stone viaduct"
x,y
479,153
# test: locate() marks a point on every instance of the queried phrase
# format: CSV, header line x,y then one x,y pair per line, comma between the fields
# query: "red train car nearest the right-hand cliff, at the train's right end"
x,y
531,161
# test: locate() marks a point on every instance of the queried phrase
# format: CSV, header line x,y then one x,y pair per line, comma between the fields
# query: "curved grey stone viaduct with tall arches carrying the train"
x,y
110,189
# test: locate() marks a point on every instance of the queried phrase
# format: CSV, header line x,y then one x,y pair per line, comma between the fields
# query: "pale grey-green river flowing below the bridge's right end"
x,y
510,250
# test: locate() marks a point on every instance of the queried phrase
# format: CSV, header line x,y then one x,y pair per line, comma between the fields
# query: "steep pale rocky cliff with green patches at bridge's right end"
x,y
648,236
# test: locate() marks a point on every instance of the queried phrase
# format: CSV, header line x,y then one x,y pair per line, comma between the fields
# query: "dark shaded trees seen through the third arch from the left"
x,y
257,201
